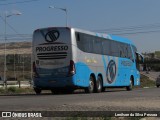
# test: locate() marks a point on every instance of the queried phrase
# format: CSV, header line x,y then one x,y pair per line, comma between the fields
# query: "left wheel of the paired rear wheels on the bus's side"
x,y
90,88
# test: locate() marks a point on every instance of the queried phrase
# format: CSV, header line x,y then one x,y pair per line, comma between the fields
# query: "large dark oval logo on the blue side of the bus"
x,y
111,72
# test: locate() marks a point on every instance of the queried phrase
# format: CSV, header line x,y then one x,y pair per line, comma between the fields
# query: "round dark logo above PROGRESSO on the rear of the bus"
x,y
52,36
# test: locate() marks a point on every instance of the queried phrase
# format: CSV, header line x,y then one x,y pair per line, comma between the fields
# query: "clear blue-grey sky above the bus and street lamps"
x,y
137,20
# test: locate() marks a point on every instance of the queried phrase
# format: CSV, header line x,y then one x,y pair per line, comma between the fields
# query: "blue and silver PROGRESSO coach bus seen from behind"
x,y
65,59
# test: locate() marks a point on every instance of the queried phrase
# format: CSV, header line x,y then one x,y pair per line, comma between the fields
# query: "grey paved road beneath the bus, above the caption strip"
x,y
138,99
